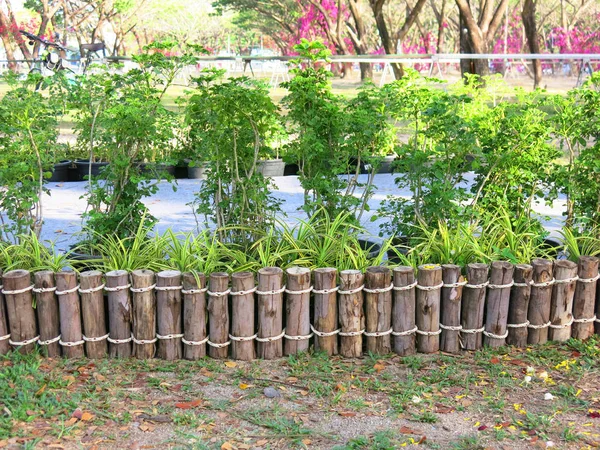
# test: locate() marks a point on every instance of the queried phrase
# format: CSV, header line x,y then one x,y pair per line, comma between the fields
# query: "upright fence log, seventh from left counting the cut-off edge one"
x,y
143,305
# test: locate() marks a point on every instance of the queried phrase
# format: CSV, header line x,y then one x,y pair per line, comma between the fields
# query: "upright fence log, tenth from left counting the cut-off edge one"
x,y
218,315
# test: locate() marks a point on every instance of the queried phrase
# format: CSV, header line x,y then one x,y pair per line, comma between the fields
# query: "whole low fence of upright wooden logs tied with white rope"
x,y
174,316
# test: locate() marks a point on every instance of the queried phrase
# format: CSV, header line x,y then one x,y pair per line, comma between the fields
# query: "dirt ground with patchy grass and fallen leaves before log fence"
x,y
542,397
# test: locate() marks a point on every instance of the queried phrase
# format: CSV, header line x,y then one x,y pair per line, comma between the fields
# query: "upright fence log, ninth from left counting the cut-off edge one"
x,y
194,316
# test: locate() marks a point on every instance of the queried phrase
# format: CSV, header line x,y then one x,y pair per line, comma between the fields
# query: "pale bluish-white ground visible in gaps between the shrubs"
x,y
64,206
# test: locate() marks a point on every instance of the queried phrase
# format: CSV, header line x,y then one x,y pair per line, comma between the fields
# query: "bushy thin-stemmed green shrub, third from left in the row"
x,y
233,121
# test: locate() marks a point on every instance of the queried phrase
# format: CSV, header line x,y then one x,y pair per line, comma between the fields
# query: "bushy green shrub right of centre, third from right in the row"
x,y
433,161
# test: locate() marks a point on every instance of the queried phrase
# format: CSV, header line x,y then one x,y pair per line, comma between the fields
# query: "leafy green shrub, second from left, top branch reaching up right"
x,y
129,123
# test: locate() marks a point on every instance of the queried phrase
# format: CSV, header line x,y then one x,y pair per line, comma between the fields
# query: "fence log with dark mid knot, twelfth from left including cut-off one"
x,y
270,313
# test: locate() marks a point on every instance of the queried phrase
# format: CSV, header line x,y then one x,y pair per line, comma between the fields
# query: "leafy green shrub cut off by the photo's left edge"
x,y
28,137
